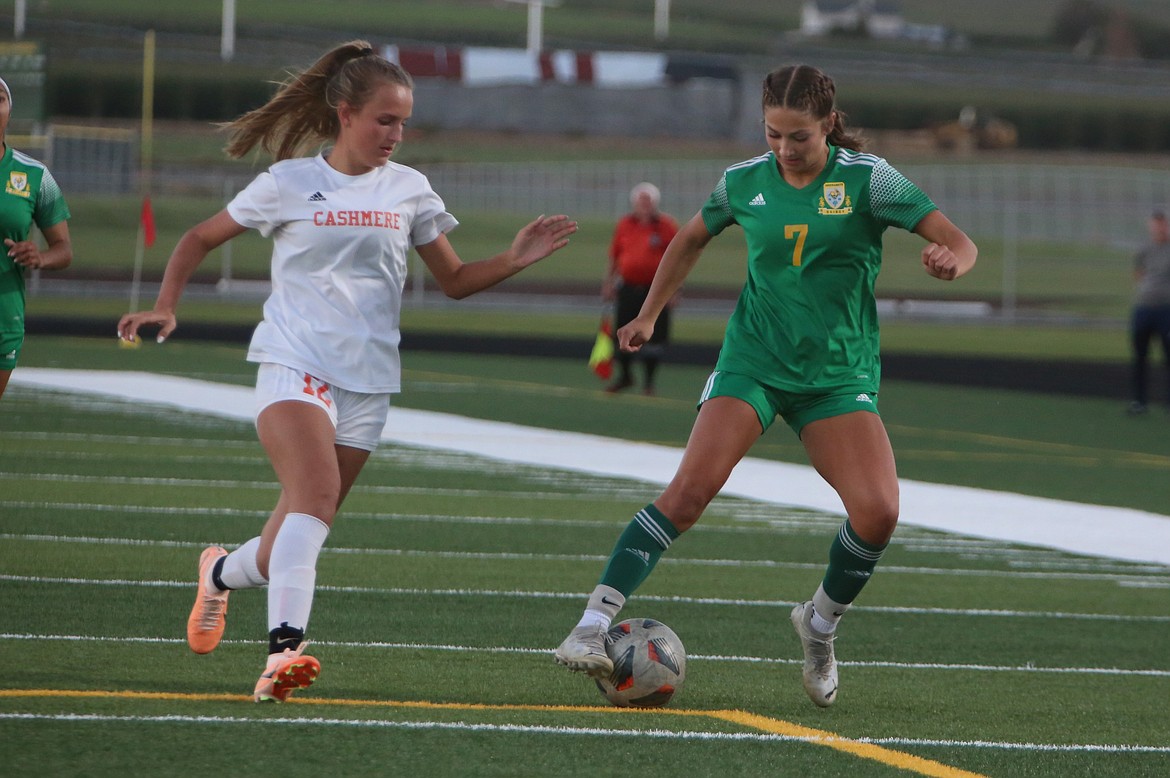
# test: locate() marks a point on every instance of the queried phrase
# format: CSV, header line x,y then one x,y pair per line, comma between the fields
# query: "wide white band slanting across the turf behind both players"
x,y
1095,531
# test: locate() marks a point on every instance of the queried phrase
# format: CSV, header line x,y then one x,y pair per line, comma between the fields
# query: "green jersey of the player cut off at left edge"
x,y
30,197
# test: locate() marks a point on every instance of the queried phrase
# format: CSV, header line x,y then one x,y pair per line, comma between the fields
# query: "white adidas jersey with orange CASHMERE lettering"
x,y
339,266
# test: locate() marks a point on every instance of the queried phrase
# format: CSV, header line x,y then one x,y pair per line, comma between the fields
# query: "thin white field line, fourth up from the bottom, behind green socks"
x,y
769,564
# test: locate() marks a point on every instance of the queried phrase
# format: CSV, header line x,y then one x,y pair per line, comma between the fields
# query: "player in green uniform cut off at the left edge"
x,y
30,197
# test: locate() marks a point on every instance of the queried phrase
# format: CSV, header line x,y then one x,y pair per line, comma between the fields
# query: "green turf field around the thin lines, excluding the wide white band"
x,y
450,579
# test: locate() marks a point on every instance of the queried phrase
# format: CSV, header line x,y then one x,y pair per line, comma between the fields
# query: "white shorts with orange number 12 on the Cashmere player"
x,y
359,418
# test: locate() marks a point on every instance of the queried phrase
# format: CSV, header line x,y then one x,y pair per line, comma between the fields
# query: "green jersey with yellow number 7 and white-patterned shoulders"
x,y
807,320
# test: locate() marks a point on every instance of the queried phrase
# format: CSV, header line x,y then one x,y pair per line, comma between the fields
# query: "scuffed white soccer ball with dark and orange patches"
x,y
650,664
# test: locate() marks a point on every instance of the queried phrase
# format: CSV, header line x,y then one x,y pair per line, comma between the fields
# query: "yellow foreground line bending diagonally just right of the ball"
x,y
773,726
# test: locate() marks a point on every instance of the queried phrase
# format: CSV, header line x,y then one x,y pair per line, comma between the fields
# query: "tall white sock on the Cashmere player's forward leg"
x,y
293,570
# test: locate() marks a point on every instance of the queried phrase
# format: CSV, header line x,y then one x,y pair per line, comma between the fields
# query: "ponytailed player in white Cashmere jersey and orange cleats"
x,y
342,224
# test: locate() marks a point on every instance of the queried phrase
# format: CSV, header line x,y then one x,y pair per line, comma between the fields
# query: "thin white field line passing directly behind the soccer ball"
x,y
965,667
